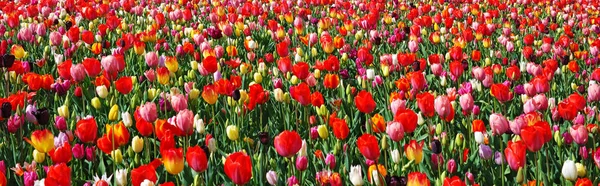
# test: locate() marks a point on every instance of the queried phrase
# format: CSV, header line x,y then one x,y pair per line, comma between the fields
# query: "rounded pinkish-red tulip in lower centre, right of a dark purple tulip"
x,y
287,143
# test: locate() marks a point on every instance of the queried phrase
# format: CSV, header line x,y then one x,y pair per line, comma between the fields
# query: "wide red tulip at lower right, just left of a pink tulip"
x,y
534,136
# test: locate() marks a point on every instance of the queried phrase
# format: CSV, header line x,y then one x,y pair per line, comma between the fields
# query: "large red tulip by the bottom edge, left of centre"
x,y
238,167
